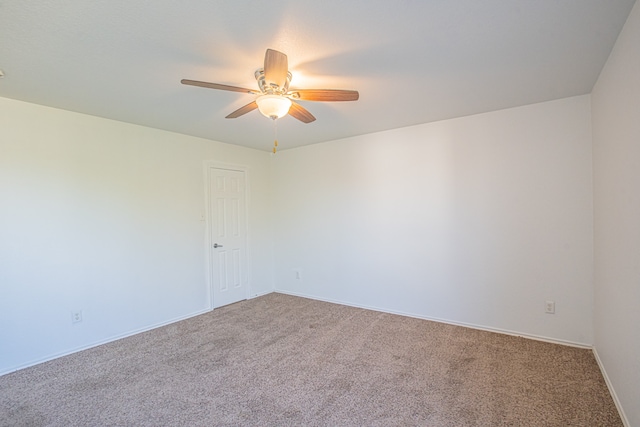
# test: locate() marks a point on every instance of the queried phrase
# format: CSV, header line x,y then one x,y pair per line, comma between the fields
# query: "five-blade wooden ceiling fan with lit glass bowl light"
x,y
275,98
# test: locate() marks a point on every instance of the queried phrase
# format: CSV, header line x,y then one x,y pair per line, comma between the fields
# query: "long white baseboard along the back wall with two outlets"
x,y
447,321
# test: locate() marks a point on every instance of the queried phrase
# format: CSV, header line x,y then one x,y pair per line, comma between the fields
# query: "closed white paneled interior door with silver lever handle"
x,y
228,236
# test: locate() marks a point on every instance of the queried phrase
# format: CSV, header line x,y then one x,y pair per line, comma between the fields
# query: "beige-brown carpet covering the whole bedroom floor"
x,y
280,360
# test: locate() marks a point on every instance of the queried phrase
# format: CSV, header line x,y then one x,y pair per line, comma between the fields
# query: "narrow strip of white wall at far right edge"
x,y
616,160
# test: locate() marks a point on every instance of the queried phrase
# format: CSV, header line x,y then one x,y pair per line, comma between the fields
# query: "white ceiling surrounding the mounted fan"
x,y
412,61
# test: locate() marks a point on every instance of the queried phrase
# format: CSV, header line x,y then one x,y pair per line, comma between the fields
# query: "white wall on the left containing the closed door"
x,y
105,217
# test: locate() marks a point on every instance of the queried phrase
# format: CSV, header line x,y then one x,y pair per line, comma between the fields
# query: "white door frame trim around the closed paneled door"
x,y
208,165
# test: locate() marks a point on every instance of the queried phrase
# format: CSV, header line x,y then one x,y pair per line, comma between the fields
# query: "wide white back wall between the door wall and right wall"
x,y
476,220
